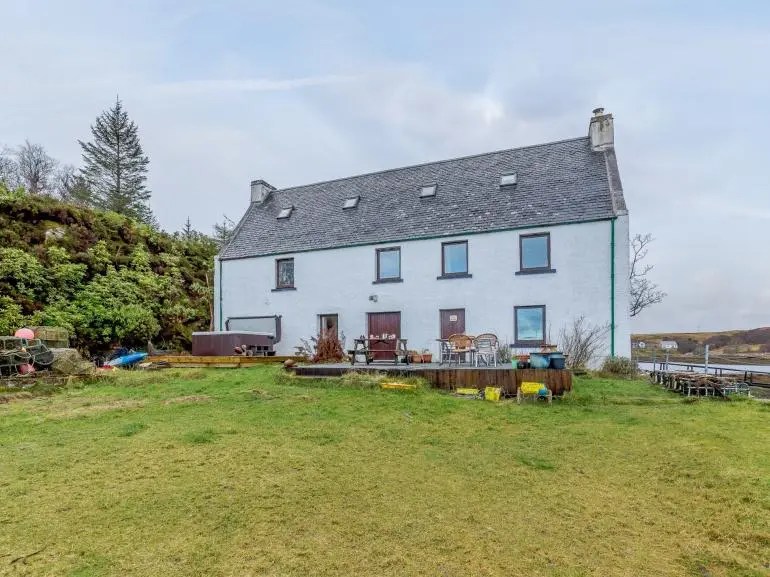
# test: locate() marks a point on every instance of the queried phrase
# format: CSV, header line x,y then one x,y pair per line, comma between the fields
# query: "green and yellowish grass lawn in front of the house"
x,y
247,472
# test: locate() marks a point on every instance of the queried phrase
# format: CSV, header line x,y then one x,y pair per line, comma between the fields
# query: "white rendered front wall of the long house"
x,y
339,281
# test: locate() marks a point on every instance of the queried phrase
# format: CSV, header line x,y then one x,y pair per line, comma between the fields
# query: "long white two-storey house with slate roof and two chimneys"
x,y
516,242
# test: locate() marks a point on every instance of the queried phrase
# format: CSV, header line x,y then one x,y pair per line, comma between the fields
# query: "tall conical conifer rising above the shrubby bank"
x,y
115,165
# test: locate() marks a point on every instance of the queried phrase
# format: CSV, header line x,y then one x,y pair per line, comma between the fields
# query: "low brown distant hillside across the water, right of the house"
x,y
753,341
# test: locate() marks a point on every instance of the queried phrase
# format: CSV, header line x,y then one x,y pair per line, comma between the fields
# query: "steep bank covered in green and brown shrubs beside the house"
x,y
106,278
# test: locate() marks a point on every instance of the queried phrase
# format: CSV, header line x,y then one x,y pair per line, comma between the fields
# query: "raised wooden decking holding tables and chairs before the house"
x,y
449,378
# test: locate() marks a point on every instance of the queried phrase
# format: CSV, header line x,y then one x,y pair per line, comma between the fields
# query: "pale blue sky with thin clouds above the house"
x,y
300,91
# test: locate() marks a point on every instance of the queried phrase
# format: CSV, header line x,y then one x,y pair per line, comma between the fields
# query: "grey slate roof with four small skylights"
x,y
558,183
